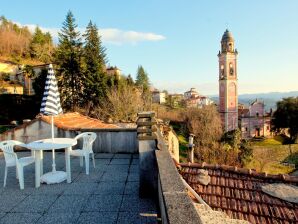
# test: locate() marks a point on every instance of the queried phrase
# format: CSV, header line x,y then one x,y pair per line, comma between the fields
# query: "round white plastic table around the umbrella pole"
x,y
50,144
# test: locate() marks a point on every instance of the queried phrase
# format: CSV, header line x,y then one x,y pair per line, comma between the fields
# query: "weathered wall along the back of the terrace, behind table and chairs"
x,y
120,140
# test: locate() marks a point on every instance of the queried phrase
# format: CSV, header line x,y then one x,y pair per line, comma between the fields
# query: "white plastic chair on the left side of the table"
x,y
11,159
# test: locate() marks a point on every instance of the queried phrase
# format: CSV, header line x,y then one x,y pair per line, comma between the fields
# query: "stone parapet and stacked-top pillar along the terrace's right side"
x,y
159,176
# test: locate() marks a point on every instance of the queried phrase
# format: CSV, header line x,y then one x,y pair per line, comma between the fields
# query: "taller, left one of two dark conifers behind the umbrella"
x,y
69,61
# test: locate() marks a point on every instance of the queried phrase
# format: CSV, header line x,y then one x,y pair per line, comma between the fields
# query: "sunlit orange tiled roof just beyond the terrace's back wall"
x,y
76,121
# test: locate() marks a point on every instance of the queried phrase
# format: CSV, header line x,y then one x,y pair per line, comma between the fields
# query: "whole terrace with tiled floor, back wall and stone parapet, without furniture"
x,y
135,181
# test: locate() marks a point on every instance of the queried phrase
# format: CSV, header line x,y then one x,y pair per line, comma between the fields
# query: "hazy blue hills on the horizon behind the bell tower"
x,y
269,99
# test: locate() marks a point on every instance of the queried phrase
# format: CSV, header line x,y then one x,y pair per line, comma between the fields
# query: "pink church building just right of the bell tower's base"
x,y
254,121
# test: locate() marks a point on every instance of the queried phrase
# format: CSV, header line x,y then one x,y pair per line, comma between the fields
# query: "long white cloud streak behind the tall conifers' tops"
x,y
109,35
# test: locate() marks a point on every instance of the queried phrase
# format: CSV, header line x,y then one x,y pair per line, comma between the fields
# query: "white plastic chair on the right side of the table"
x,y
88,139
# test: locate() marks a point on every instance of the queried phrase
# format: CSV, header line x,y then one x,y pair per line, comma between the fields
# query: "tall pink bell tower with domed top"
x,y
228,82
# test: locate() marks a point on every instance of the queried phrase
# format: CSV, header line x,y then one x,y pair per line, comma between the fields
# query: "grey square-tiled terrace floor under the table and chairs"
x,y
109,194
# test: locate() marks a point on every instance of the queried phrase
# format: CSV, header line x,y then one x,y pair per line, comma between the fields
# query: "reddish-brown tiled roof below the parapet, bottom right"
x,y
237,192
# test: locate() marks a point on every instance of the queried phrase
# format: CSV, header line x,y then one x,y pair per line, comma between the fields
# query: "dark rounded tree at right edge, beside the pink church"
x,y
286,116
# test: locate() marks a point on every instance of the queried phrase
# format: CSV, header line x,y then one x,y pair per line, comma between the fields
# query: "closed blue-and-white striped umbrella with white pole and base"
x,y
51,106
